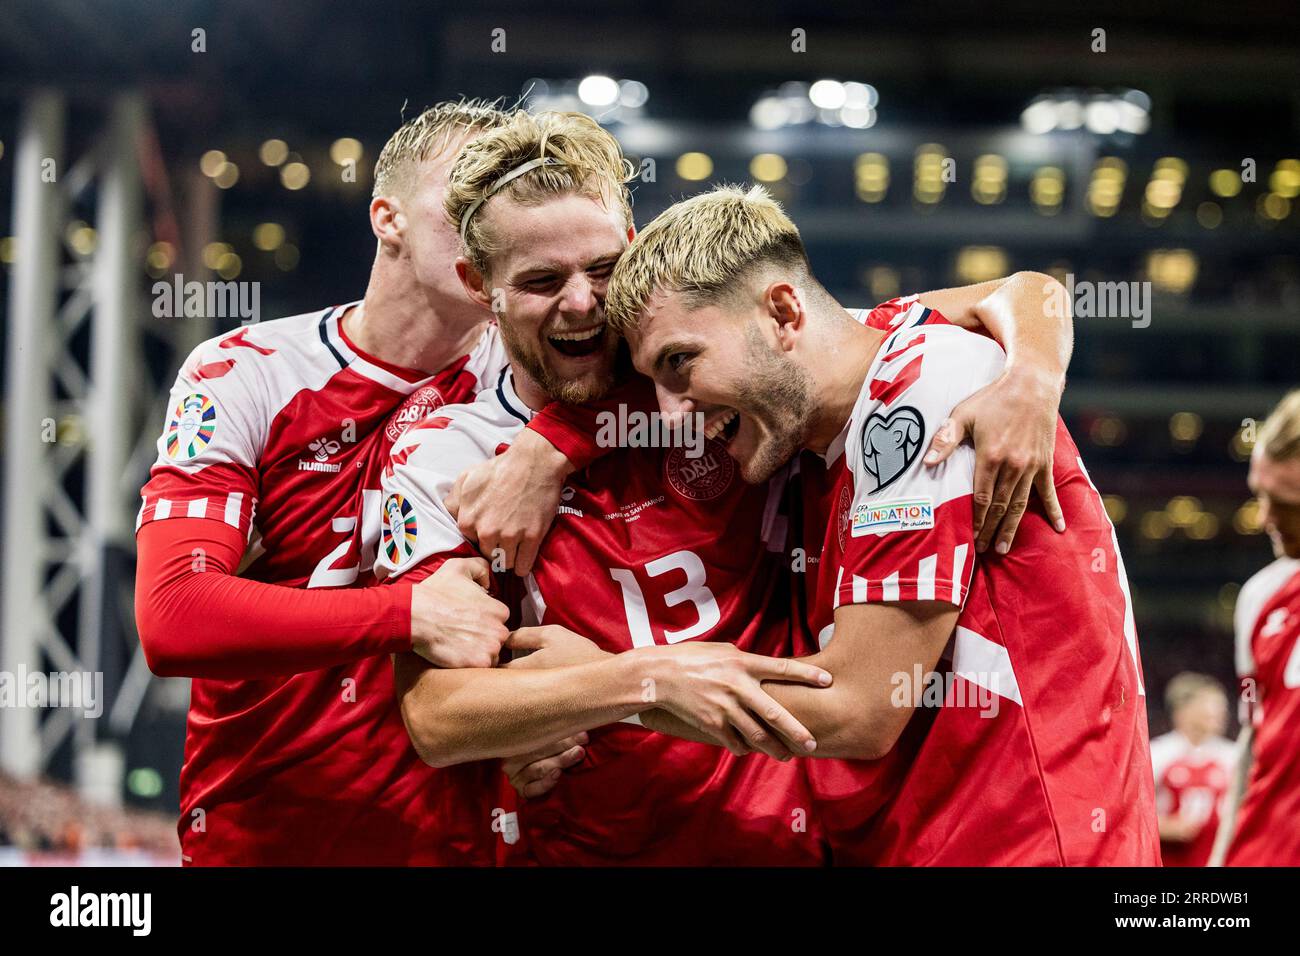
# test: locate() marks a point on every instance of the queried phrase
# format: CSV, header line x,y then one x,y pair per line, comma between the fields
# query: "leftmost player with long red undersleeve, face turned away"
x,y
270,468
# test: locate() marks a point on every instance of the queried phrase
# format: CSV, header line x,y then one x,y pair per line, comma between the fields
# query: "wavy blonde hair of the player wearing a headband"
x,y
587,161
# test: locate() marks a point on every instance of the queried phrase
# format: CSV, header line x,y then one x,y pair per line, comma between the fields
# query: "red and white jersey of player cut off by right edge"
x,y
1268,643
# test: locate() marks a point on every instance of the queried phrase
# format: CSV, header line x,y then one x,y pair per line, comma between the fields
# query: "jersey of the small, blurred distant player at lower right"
x,y
1191,781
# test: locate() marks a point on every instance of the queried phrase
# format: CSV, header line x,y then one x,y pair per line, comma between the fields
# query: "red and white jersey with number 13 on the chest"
x,y
649,547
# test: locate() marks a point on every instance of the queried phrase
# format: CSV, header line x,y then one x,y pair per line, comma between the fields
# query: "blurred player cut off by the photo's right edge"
x,y
1266,830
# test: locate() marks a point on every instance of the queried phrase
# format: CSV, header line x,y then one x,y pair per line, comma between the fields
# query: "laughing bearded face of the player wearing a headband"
x,y
547,282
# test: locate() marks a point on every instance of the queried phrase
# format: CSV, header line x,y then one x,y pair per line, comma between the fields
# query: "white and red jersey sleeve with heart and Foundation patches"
x,y
909,534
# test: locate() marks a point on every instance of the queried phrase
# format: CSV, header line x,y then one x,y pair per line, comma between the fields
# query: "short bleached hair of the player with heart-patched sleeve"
x,y
701,246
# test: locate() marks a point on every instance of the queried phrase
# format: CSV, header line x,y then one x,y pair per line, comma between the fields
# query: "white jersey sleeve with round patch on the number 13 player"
x,y
418,531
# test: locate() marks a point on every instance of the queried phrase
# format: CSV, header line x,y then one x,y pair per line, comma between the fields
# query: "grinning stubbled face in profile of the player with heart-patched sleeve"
x,y
730,364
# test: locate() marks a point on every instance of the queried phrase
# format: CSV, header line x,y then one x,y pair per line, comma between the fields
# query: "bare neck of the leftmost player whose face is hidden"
x,y
406,325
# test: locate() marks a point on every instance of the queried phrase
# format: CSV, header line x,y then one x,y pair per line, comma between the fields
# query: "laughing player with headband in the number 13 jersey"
x,y
541,233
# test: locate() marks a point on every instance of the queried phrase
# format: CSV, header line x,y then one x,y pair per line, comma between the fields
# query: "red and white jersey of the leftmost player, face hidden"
x,y
281,430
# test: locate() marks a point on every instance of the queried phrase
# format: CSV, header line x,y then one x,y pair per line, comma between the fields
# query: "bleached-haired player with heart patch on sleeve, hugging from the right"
x,y
1038,728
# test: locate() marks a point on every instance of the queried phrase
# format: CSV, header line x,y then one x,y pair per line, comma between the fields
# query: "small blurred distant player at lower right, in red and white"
x,y
1193,767
